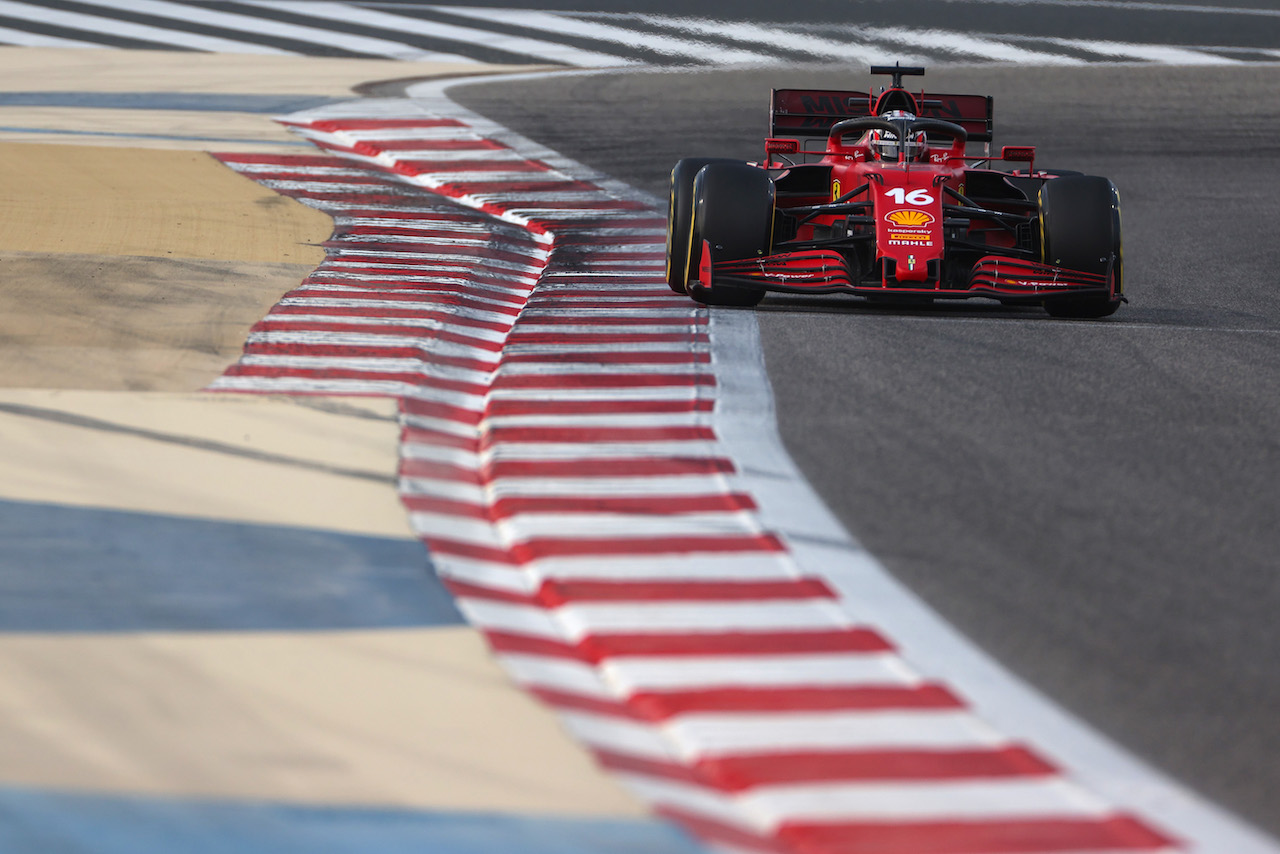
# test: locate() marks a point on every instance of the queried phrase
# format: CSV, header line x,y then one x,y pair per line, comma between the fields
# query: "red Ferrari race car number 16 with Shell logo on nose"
x,y
879,197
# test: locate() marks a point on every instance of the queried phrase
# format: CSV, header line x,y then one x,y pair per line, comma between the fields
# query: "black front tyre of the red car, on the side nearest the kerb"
x,y
733,214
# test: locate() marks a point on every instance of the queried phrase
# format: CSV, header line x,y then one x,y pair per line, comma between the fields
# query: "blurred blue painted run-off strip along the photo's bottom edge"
x,y
39,823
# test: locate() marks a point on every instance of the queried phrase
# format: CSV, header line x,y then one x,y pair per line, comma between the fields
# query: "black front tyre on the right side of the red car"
x,y
1081,231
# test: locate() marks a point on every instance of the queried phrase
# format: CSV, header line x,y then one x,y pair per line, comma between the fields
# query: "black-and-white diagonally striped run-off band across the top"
x,y
451,34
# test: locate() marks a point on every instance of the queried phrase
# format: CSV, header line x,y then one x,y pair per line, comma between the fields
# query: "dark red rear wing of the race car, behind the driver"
x,y
807,116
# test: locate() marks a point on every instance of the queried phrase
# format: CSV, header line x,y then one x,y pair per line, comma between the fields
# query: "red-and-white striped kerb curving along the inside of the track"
x,y
561,460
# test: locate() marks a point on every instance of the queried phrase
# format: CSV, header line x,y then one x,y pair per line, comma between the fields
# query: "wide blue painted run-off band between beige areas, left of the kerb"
x,y
75,569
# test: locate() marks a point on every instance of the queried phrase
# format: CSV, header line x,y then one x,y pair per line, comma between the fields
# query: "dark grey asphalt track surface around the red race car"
x,y
1094,503
